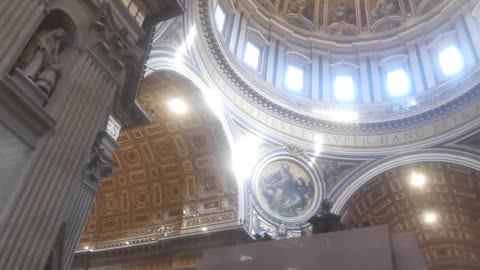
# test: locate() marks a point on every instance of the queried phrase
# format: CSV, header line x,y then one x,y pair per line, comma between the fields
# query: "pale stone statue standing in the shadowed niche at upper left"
x,y
40,61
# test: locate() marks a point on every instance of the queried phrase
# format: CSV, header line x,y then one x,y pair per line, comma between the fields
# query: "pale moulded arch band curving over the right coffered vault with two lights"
x,y
350,185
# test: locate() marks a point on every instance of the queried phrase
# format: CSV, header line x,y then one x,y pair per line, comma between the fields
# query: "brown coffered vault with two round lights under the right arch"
x,y
452,192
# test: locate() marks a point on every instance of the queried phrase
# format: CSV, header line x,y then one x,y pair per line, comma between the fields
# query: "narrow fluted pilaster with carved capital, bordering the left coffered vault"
x,y
83,193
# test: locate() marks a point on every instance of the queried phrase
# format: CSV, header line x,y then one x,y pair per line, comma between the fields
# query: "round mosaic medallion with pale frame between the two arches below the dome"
x,y
286,190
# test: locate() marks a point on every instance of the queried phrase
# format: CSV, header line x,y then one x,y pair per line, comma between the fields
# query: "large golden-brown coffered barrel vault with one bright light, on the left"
x,y
173,175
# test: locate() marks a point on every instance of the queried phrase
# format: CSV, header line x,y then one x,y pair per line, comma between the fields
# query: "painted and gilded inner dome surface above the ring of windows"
x,y
346,18
